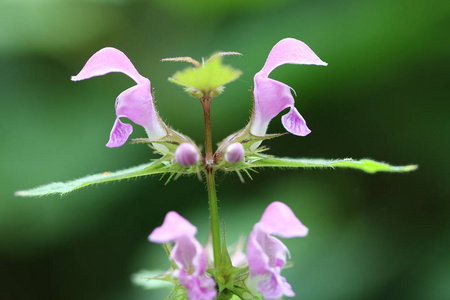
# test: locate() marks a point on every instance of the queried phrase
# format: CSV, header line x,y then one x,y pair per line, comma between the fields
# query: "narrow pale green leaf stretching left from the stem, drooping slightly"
x,y
156,167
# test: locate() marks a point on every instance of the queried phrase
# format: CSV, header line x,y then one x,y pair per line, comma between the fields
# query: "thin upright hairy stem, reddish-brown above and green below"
x,y
210,181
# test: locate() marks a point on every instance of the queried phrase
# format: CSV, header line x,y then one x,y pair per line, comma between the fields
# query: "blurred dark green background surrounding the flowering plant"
x,y
384,95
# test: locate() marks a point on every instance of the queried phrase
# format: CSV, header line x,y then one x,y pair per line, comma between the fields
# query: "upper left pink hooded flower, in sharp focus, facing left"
x,y
135,103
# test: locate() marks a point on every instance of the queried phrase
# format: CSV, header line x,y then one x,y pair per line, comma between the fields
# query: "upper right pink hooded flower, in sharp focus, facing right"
x,y
272,97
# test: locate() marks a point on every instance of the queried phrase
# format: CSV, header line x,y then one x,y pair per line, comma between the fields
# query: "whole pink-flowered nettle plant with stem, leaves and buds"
x,y
211,272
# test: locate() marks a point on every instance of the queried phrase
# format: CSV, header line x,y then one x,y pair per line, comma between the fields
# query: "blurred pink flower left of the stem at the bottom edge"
x,y
188,254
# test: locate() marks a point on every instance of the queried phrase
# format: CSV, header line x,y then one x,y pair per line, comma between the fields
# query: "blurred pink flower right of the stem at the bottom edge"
x,y
267,254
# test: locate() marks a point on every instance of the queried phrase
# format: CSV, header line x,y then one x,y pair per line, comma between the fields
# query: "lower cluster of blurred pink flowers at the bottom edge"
x,y
266,255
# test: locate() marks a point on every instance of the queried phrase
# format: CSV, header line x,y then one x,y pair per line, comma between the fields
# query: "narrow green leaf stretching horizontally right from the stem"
x,y
366,165
